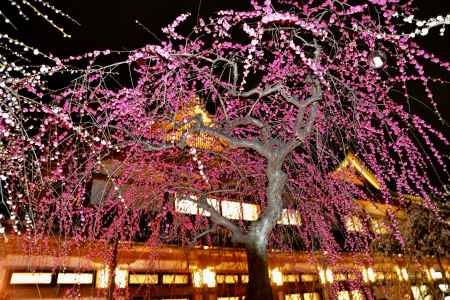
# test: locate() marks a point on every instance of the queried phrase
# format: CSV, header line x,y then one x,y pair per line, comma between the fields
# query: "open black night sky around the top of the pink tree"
x,y
110,24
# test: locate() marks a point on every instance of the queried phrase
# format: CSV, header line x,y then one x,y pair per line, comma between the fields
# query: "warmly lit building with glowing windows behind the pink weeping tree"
x,y
170,272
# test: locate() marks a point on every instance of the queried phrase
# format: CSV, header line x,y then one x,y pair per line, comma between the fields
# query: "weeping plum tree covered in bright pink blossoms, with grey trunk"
x,y
294,86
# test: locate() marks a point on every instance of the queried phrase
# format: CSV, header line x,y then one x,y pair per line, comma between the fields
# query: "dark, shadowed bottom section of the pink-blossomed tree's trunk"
x,y
258,287
